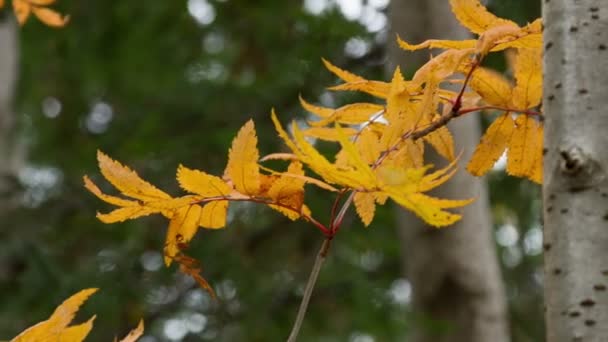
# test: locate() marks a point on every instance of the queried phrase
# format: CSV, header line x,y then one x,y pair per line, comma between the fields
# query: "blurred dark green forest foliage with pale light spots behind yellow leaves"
x,y
155,84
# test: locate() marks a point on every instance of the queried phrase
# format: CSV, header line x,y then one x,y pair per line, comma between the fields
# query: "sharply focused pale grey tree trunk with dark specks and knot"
x,y
575,190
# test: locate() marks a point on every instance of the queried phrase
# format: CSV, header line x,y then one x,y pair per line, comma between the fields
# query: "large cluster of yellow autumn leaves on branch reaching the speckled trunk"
x,y
381,146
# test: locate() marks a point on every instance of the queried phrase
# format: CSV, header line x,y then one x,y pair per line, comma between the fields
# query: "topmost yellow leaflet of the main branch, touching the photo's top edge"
x,y
474,16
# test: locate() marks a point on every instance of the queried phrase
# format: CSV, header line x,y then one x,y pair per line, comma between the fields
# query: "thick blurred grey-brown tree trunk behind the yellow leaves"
x,y
454,271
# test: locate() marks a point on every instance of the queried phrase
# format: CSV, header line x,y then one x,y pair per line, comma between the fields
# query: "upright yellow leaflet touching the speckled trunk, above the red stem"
x,y
529,79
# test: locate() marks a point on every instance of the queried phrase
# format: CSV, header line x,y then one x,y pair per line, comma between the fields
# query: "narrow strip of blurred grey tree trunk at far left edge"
x,y
8,75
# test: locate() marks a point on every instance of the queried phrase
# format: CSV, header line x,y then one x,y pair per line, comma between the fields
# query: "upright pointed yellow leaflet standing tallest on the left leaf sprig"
x,y
243,157
